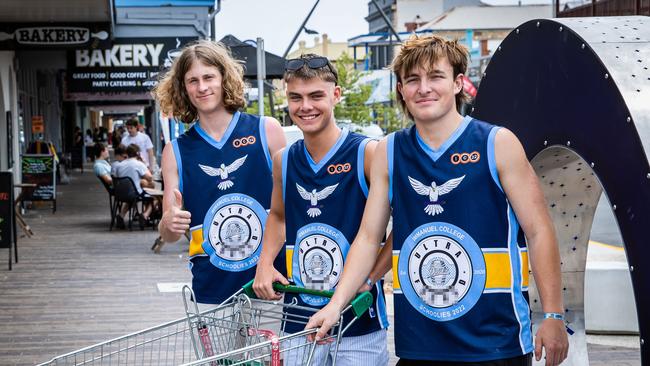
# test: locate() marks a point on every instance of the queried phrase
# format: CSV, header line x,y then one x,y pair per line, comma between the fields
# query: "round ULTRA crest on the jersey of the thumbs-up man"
x,y
232,232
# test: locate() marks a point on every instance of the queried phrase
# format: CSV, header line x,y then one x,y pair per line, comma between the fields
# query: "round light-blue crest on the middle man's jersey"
x,y
318,259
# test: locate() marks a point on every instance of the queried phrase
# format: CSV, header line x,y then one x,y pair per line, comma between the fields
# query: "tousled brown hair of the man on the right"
x,y
425,51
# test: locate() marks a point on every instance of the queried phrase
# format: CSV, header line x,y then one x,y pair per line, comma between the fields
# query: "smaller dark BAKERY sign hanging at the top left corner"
x,y
18,36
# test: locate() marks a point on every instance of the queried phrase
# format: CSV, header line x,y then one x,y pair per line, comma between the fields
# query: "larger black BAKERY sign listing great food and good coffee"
x,y
129,65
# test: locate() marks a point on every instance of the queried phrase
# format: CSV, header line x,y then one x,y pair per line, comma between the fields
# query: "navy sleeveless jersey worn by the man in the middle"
x,y
324,205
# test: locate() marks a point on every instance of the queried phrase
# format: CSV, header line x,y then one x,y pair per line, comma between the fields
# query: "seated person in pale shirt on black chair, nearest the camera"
x,y
135,169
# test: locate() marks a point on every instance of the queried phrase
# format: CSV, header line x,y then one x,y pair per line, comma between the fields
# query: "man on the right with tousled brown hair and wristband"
x,y
458,190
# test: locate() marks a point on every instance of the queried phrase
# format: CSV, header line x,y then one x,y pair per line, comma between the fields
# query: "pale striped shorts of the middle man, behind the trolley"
x,y
366,350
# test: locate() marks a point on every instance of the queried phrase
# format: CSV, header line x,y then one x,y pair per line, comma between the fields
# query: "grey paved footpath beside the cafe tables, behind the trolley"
x,y
78,283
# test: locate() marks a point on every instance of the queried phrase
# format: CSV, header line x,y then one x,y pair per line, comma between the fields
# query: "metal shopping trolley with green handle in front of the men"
x,y
232,333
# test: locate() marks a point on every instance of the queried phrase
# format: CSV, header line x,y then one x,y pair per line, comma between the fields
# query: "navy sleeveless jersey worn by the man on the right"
x,y
461,276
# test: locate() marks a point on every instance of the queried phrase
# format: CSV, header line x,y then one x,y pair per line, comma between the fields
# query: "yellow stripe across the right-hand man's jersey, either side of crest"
x,y
498,270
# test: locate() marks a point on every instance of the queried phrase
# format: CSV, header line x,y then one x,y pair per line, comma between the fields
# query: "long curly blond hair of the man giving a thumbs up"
x,y
170,91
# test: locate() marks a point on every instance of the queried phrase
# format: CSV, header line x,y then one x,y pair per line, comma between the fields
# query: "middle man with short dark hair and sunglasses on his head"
x,y
319,193
